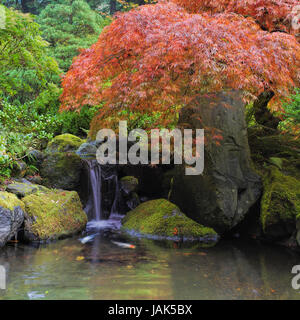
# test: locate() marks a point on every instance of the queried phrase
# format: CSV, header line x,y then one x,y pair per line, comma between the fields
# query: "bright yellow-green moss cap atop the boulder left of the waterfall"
x,y
64,143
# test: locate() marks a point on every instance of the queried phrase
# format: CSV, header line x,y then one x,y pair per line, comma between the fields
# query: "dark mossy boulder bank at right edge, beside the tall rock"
x,y
276,158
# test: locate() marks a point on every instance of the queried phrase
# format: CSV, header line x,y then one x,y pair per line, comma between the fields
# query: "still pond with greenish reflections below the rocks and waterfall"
x,y
102,269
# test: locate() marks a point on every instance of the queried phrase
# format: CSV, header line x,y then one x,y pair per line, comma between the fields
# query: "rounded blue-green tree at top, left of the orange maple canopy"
x,y
69,25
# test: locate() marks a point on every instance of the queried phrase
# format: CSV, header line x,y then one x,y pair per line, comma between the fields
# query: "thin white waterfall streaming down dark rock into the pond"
x,y
103,190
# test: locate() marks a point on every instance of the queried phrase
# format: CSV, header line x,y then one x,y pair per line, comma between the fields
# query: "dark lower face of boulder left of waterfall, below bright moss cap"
x,y
62,170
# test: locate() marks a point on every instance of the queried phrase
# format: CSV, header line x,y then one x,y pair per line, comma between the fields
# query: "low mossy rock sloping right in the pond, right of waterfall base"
x,y
161,219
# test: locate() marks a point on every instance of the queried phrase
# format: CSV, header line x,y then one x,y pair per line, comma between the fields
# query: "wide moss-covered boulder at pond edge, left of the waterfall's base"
x,y
53,215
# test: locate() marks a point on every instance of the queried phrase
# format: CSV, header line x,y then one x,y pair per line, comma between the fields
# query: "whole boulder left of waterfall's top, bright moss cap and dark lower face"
x,y
62,167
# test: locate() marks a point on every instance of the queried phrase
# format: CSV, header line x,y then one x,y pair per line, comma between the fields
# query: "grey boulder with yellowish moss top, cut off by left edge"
x,y
11,216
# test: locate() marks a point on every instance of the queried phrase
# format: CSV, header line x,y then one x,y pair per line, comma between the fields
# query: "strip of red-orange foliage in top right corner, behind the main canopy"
x,y
269,14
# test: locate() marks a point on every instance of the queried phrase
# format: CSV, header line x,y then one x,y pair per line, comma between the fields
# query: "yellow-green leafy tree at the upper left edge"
x,y
25,68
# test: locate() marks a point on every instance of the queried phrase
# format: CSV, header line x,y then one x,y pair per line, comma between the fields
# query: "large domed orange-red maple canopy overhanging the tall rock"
x,y
160,56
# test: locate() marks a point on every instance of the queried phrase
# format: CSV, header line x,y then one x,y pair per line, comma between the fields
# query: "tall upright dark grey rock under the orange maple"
x,y
228,187
